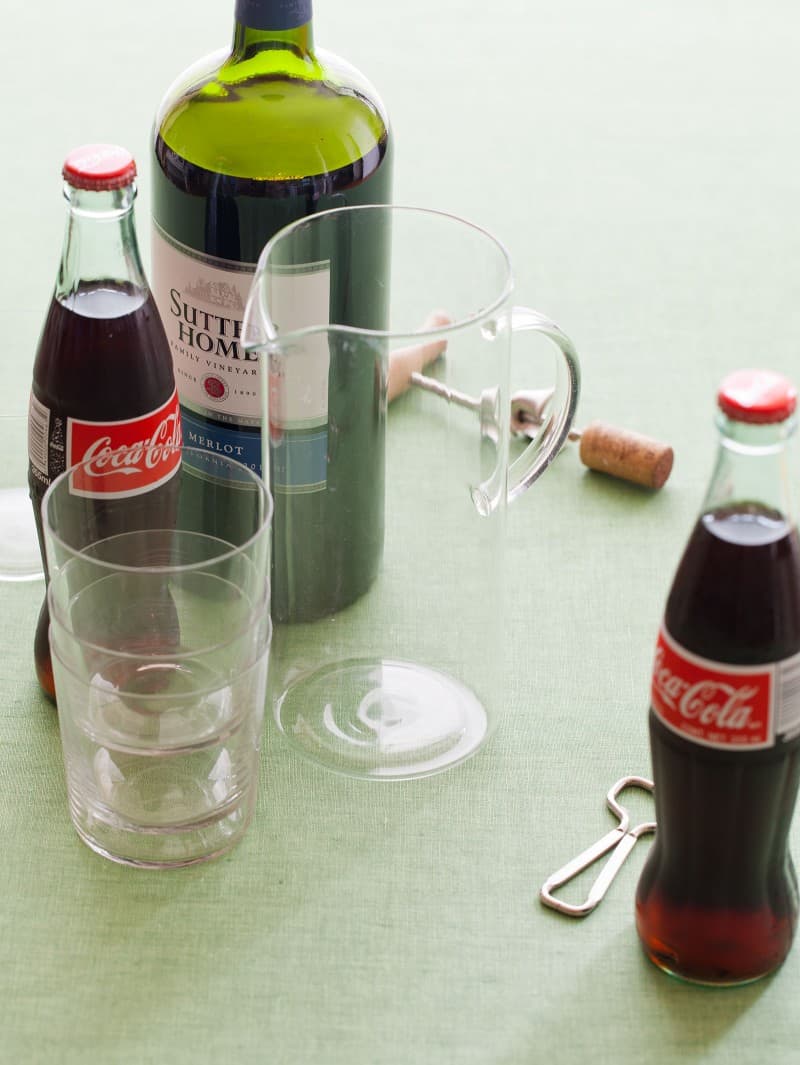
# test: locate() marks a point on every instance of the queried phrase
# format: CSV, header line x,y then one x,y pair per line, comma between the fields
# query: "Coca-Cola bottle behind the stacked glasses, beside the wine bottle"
x,y
103,376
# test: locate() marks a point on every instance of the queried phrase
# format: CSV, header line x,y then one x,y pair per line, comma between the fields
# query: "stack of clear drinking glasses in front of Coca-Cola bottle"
x,y
160,634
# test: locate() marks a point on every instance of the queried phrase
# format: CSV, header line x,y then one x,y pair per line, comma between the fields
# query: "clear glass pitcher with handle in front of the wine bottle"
x,y
388,582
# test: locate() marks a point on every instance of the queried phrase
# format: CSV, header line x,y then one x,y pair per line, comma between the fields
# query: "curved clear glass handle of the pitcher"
x,y
551,437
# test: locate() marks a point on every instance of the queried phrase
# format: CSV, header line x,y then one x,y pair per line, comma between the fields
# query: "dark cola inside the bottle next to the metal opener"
x,y
717,899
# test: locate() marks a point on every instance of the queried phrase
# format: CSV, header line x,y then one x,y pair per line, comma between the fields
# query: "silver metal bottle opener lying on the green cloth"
x,y
621,841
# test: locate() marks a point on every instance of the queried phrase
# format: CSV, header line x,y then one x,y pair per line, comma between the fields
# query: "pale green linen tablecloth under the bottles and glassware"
x,y
641,163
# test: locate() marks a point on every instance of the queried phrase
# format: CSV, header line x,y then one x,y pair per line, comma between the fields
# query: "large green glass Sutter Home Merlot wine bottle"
x,y
247,142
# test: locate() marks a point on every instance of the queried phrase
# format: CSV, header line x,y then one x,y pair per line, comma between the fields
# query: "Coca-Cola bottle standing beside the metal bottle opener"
x,y
717,902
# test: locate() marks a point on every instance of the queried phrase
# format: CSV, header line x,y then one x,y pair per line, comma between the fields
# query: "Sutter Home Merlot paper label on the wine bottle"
x,y
202,301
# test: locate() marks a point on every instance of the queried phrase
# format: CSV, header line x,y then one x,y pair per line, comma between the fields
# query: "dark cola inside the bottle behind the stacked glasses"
x,y
103,356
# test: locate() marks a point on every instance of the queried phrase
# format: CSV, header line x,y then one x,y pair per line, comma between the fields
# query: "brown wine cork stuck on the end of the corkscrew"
x,y
627,455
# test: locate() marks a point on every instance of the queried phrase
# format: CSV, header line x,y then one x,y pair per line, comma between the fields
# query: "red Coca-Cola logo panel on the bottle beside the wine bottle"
x,y
125,458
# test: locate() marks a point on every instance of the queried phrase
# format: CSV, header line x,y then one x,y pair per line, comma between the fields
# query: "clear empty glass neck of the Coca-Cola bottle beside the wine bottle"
x,y
101,241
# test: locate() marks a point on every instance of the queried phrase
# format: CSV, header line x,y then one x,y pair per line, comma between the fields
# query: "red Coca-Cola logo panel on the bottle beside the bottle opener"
x,y
712,703
